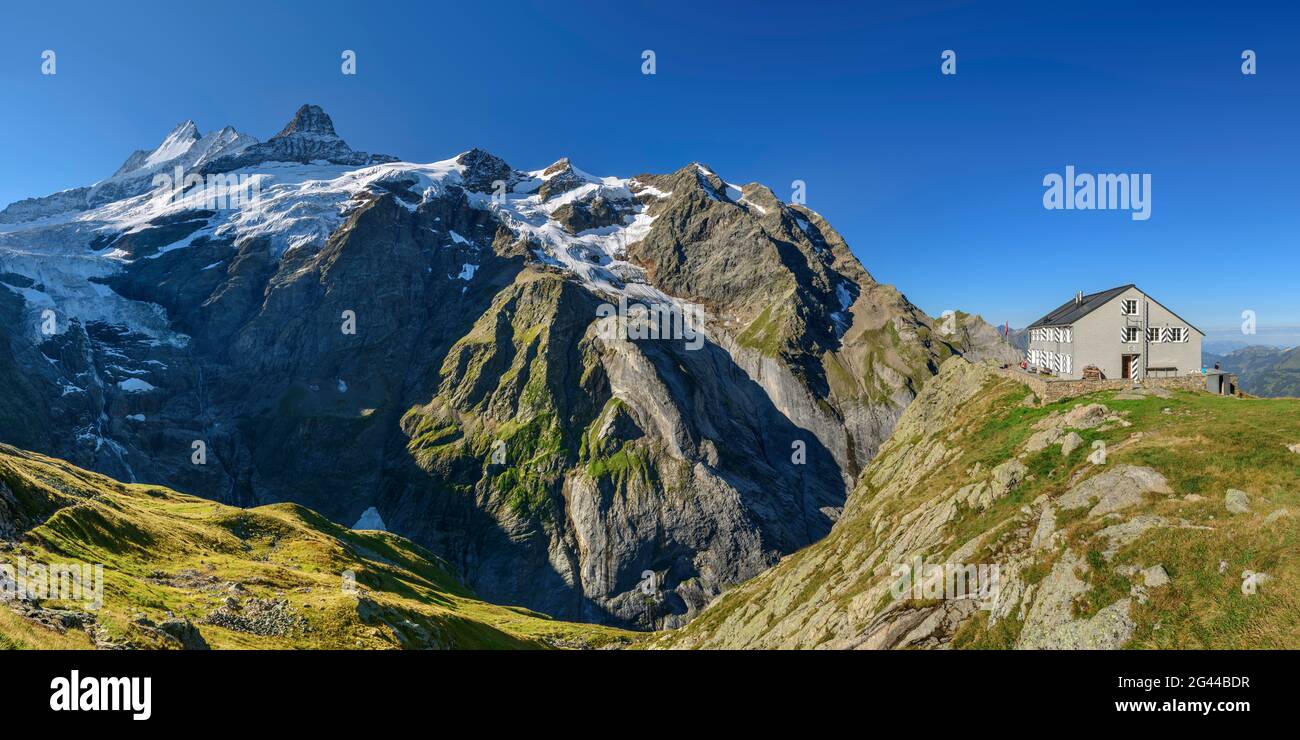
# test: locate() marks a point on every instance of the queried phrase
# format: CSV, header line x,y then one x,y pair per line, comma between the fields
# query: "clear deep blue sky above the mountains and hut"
x,y
935,181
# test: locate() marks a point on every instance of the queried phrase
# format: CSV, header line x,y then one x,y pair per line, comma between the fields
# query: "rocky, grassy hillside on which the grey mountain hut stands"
x,y
1185,534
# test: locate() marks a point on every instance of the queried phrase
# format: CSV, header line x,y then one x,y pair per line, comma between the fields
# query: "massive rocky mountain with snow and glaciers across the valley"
x,y
469,350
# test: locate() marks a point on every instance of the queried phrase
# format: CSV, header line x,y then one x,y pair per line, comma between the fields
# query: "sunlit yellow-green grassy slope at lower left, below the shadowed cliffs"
x,y
167,552
